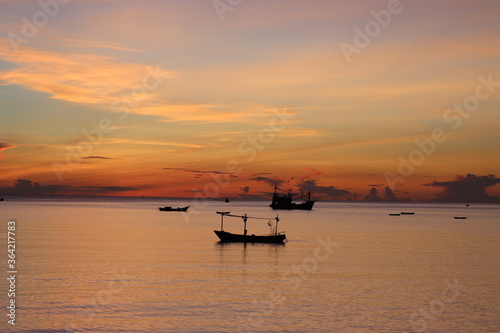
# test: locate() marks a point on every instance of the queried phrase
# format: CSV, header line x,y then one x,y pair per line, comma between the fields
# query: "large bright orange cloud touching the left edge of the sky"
x,y
79,78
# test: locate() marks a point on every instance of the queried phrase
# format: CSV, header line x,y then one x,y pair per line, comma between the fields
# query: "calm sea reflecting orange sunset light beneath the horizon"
x,y
108,264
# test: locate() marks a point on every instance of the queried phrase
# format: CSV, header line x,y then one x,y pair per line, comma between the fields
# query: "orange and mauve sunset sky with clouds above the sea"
x,y
369,100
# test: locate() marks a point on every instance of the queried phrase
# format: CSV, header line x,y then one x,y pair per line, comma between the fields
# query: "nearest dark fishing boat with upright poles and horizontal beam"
x,y
274,236
